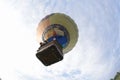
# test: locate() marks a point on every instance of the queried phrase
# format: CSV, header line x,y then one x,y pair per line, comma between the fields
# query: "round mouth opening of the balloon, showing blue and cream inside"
x,y
56,32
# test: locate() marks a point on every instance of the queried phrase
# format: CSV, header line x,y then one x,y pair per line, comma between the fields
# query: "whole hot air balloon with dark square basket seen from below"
x,y
57,34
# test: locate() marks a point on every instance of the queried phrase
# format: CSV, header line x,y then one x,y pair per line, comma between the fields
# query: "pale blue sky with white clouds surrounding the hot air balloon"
x,y
96,55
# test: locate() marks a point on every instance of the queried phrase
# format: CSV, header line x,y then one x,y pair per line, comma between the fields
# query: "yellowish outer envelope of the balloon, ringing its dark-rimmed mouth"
x,y
63,20
